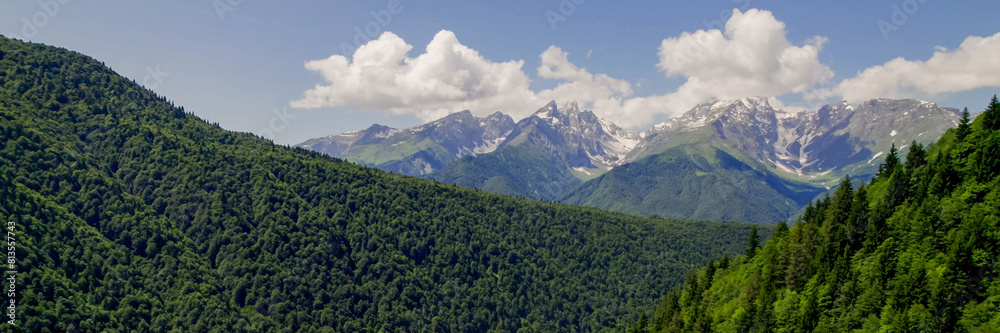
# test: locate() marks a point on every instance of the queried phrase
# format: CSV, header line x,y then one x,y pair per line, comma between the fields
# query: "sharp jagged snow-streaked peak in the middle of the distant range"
x,y
545,155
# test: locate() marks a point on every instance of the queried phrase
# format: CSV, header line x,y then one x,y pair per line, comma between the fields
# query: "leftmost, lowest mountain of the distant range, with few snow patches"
x,y
420,150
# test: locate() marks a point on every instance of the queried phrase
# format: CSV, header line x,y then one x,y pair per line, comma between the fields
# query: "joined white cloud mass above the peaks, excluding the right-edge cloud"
x,y
752,57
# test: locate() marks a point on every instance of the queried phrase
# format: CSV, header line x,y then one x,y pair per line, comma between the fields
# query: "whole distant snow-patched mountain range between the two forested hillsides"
x,y
766,162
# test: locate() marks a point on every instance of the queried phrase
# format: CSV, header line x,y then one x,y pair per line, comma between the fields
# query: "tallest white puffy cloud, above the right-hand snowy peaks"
x,y
752,57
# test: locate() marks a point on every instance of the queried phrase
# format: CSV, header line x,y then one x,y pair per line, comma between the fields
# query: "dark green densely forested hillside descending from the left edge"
x,y
133,215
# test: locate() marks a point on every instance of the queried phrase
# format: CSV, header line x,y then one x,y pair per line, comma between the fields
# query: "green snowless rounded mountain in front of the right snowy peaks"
x,y
696,181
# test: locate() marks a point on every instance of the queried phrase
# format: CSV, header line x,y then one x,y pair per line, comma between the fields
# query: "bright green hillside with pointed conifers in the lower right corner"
x,y
915,250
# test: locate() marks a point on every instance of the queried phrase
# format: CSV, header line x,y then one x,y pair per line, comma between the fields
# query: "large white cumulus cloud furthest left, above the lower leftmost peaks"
x,y
447,77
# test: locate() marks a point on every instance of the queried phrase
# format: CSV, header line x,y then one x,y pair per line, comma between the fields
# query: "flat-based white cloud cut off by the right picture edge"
x,y
974,64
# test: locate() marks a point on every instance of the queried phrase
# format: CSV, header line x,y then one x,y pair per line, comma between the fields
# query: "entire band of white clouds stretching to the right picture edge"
x,y
750,56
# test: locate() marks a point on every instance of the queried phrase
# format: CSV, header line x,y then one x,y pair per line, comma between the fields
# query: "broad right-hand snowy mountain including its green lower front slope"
x,y
786,159
